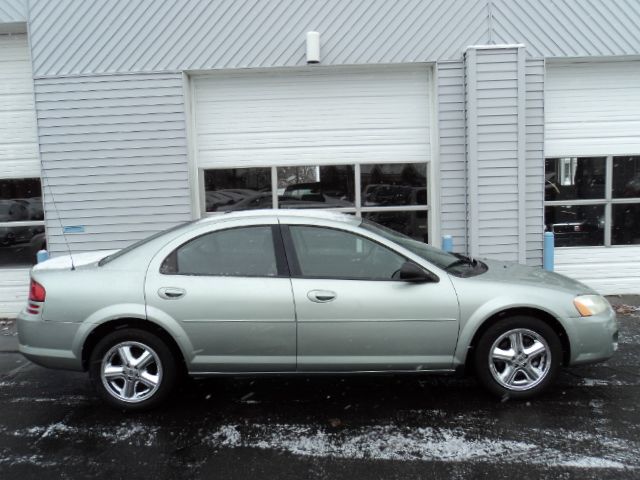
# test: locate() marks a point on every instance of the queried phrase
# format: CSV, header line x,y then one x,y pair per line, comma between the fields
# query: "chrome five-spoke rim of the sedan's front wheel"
x,y
519,359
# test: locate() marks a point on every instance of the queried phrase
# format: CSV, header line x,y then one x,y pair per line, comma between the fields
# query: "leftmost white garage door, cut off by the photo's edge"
x,y
20,207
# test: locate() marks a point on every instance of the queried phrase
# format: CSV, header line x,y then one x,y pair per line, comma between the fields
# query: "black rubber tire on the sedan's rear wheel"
x,y
163,366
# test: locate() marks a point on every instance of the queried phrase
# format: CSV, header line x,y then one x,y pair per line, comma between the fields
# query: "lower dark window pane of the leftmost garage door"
x,y
19,245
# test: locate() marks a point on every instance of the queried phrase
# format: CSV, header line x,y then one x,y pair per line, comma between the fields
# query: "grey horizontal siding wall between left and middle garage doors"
x,y
114,155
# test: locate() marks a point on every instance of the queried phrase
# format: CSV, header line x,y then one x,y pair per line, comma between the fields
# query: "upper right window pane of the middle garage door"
x,y
387,184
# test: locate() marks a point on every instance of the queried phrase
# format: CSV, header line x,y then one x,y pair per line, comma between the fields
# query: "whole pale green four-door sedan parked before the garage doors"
x,y
303,292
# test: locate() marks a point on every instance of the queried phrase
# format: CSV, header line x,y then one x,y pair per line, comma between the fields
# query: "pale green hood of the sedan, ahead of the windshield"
x,y
514,273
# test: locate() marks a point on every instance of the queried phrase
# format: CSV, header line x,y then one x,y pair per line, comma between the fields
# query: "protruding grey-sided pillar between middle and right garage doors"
x,y
492,109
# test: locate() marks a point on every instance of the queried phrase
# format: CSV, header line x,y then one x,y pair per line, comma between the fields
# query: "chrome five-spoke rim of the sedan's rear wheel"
x,y
131,371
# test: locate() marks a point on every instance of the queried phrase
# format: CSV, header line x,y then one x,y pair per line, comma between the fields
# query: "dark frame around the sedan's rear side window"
x,y
282,266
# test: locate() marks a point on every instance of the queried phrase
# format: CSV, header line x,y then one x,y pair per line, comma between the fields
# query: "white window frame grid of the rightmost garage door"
x,y
607,201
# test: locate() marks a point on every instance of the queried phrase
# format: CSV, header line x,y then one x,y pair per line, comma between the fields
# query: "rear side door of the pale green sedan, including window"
x,y
229,289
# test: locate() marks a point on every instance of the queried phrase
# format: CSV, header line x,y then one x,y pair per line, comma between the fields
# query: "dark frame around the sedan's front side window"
x,y
294,263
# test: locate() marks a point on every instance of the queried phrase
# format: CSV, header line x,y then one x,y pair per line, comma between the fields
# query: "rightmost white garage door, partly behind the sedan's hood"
x,y
592,147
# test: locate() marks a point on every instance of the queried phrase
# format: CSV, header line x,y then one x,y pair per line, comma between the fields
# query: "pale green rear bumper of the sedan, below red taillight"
x,y
47,343
